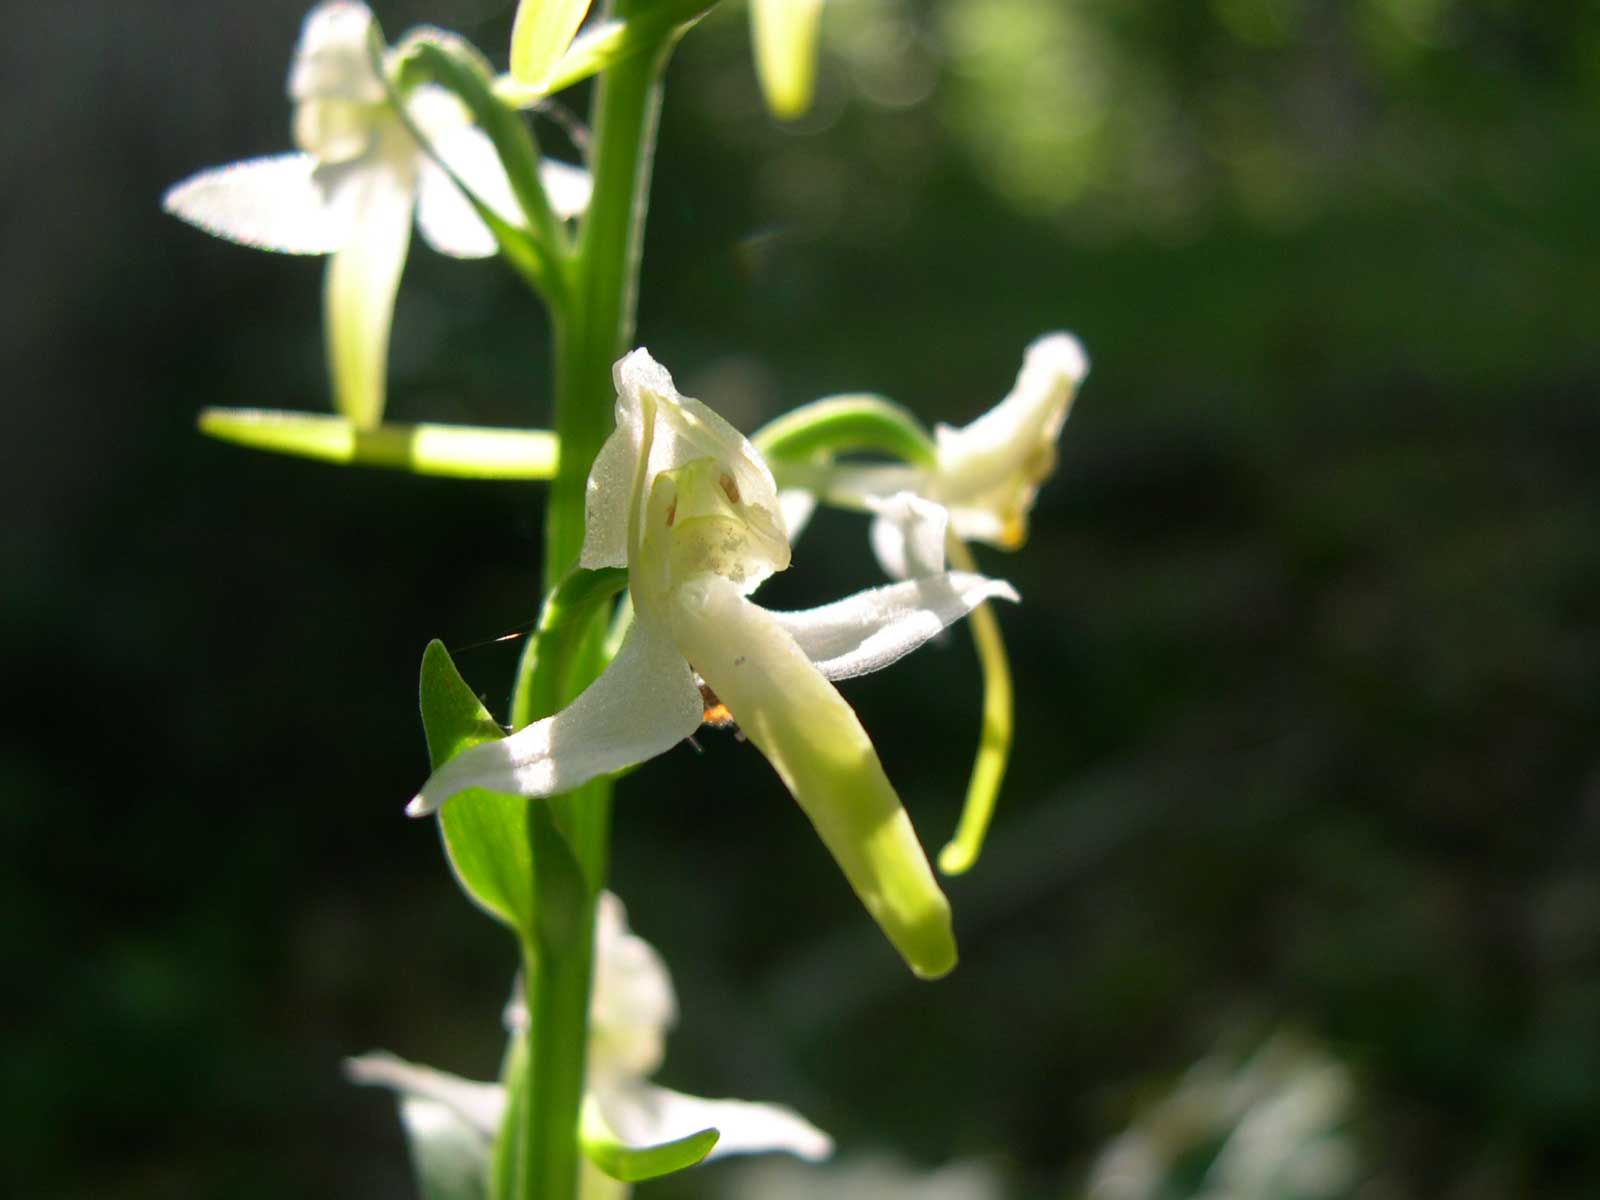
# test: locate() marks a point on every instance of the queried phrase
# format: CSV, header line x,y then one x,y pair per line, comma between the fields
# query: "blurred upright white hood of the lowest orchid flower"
x,y
633,1006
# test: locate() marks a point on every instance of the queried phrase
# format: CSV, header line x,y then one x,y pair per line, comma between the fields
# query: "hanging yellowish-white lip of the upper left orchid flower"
x,y
361,289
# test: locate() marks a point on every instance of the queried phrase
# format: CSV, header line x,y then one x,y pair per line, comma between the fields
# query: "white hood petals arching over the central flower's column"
x,y
657,431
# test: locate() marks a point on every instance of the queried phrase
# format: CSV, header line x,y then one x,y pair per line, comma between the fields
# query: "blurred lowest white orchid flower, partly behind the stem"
x,y
631,1009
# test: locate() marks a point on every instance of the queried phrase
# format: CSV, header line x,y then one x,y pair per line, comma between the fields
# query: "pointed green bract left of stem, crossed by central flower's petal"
x,y
486,834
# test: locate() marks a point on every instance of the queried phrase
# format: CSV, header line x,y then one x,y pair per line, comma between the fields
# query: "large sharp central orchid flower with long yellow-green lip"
x,y
689,506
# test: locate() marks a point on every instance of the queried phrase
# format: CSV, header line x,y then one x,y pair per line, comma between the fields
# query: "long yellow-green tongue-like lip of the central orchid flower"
x,y
817,745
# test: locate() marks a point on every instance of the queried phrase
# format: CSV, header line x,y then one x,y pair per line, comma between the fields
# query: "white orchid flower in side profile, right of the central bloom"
x,y
986,474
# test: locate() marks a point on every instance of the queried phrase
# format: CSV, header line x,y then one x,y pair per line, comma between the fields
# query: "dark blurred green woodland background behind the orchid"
x,y
1308,668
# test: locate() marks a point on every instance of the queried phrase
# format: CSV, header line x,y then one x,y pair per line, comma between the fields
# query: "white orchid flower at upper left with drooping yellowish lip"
x,y
354,188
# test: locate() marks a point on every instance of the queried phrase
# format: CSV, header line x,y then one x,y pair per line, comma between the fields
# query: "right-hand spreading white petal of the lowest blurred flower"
x,y
649,1116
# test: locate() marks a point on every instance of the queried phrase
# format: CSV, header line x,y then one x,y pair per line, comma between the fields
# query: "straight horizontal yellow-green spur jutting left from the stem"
x,y
458,452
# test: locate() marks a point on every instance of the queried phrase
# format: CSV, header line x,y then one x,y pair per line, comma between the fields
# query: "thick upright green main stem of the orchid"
x,y
593,332
